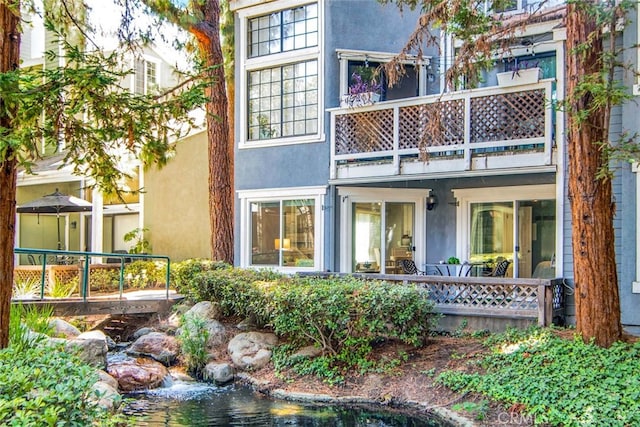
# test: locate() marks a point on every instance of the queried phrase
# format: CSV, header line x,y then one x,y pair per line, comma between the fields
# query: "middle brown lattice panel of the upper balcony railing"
x,y
437,124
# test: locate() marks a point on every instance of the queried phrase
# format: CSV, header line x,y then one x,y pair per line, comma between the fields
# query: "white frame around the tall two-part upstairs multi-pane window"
x,y
276,60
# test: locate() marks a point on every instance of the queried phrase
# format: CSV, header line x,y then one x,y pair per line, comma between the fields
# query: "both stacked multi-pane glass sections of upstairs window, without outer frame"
x,y
282,98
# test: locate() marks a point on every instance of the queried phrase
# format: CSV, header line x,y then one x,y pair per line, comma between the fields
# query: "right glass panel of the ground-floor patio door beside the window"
x,y
400,231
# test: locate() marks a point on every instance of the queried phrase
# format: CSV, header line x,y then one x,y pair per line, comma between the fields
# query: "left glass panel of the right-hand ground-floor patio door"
x,y
492,230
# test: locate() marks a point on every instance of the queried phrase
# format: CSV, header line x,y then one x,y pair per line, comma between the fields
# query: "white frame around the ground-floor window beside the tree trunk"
x,y
277,195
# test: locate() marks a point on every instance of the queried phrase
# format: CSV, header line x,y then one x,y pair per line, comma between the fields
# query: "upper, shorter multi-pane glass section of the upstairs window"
x,y
283,31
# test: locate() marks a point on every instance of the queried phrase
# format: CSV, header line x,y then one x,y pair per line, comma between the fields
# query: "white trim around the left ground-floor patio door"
x,y
383,195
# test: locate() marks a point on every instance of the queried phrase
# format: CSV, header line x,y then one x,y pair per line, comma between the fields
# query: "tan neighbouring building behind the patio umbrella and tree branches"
x,y
167,197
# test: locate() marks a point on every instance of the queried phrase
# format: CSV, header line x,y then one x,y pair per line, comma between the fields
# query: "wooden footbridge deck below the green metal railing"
x,y
136,302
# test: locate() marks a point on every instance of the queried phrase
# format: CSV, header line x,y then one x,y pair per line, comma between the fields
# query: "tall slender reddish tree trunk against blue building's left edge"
x,y
220,156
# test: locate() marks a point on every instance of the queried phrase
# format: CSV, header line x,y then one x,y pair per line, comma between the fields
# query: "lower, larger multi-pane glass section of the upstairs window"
x,y
283,101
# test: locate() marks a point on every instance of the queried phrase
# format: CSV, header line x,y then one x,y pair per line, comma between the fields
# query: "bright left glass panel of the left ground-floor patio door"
x,y
366,238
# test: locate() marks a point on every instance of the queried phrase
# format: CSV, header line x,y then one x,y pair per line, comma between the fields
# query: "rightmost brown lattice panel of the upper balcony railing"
x,y
518,115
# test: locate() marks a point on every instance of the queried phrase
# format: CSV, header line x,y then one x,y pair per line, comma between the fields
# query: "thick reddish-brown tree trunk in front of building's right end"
x,y
592,209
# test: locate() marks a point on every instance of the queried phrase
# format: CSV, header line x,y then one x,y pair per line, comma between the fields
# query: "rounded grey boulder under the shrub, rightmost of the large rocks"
x,y
251,350
